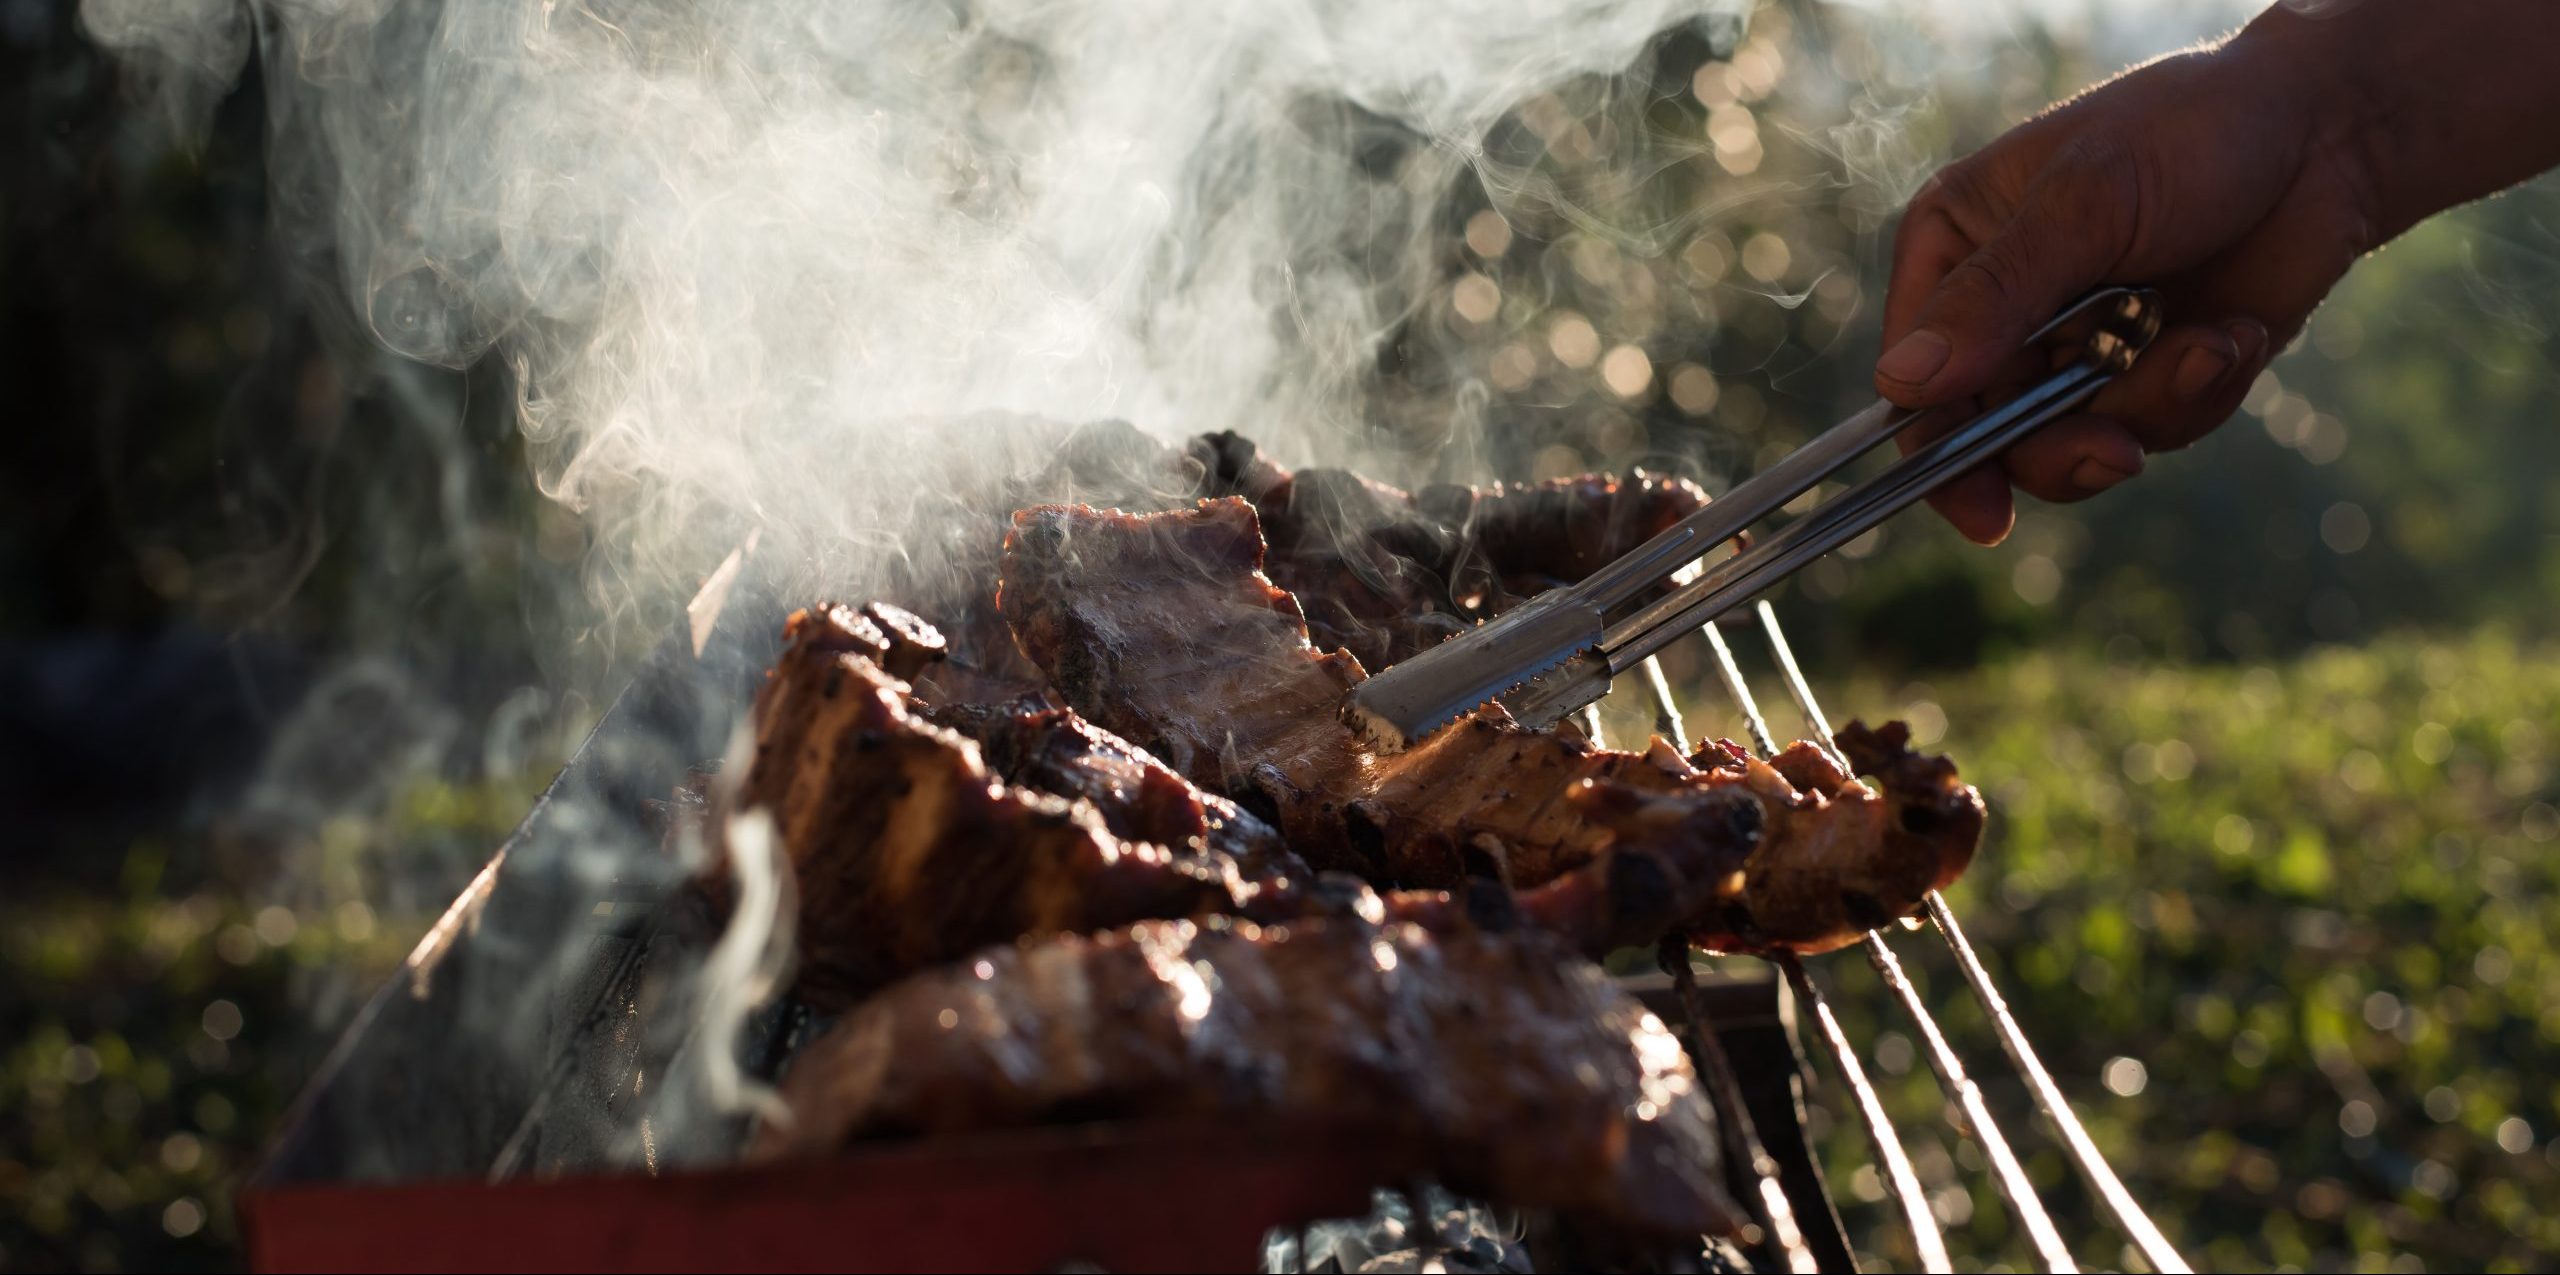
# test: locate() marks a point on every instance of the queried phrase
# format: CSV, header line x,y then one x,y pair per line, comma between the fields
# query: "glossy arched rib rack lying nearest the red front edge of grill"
x,y
1517,1071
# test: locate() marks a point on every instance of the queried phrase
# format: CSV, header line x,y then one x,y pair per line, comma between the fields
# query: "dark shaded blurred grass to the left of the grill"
x,y
152,1036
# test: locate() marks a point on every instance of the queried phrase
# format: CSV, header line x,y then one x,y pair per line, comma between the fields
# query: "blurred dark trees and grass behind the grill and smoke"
x,y
2272,736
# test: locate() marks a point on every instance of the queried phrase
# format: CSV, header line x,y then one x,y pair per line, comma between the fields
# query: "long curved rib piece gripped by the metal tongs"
x,y
1164,631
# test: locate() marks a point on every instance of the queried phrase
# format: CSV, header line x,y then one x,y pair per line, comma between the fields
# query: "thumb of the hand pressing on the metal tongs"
x,y
2062,242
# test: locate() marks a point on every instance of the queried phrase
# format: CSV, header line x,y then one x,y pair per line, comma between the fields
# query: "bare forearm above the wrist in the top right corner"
x,y
2438,101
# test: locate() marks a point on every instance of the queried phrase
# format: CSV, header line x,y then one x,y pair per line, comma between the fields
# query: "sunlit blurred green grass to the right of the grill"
x,y
2310,902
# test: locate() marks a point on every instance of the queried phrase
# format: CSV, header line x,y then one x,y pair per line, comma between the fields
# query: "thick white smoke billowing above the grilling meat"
x,y
756,260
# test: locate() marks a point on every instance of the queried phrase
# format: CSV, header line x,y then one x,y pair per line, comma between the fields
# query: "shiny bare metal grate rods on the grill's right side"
x,y
1967,1110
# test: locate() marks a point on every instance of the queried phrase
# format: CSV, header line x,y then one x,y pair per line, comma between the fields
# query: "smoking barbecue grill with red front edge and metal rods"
x,y
559,1105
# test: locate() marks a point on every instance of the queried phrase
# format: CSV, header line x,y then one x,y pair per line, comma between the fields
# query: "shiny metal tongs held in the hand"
x,y
1560,652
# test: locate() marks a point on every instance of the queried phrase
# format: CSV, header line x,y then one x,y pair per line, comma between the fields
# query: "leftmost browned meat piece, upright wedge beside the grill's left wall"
x,y
905,849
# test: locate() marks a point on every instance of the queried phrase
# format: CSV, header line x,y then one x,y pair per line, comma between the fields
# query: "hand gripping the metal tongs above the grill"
x,y
2221,178
